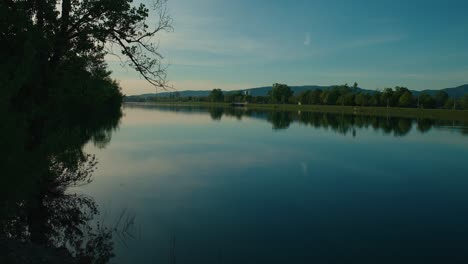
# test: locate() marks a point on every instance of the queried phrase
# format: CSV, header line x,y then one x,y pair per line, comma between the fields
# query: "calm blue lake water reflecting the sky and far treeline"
x,y
199,185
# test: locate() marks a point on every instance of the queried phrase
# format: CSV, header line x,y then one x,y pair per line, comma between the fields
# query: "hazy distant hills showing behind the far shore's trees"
x,y
456,92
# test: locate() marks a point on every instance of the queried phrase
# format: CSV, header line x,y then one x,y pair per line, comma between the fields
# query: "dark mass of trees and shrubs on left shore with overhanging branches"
x,y
58,95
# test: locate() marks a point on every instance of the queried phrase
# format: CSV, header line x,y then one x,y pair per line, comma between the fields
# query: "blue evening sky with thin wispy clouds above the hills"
x,y
242,44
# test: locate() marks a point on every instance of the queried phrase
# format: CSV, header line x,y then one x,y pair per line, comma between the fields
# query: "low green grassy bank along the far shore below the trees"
x,y
442,114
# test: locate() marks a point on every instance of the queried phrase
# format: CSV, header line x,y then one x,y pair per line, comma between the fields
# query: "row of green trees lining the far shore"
x,y
342,95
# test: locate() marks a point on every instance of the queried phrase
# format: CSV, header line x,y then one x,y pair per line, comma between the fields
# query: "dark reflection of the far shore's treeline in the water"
x,y
344,124
